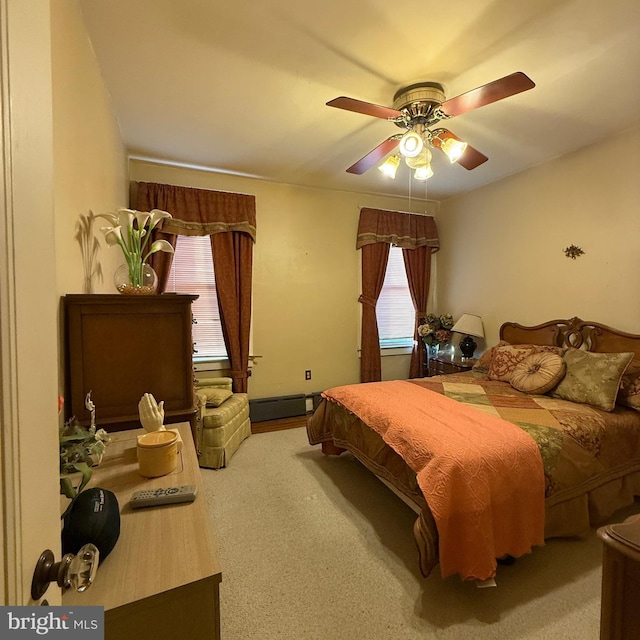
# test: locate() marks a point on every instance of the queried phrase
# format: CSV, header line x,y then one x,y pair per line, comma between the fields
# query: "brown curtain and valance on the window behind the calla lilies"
x,y
232,216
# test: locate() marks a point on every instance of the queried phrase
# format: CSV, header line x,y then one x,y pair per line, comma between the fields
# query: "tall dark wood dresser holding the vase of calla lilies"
x,y
120,347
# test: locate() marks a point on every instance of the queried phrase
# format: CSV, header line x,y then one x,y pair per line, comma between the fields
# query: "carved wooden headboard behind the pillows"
x,y
580,334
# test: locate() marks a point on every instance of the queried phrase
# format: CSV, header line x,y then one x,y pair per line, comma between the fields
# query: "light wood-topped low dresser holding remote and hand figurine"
x,y
162,578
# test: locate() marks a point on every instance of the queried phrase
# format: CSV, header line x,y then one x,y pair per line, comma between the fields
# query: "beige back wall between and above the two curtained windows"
x,y
306,279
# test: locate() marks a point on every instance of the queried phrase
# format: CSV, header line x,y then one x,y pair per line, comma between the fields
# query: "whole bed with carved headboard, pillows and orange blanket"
x,y
497,459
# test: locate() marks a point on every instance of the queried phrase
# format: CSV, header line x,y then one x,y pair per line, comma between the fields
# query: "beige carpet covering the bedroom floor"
x,y
318,548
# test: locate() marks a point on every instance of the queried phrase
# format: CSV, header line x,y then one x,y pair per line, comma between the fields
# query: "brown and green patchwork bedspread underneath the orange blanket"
x,y
590,458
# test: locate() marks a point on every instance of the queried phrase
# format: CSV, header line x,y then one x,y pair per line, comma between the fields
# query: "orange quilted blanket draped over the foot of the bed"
x,y
481,475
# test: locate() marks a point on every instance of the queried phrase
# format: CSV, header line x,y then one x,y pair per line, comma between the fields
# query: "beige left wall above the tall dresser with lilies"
x,y
90,165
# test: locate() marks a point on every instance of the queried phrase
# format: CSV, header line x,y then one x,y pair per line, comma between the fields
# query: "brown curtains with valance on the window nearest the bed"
x,y
418,237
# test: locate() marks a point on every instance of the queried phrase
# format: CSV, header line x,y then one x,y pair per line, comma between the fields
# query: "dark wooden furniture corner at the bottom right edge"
x,y
620,608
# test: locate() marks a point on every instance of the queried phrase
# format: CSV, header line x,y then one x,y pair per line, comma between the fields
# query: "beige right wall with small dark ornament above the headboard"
x,y
502,246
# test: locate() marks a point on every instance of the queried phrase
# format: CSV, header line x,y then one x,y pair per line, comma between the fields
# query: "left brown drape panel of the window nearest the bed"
x,y
374,266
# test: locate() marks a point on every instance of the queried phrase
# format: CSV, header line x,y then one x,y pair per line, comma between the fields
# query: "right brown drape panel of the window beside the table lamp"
x,y
417,263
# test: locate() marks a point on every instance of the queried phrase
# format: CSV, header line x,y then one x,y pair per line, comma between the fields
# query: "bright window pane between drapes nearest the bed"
x,y
395,311
